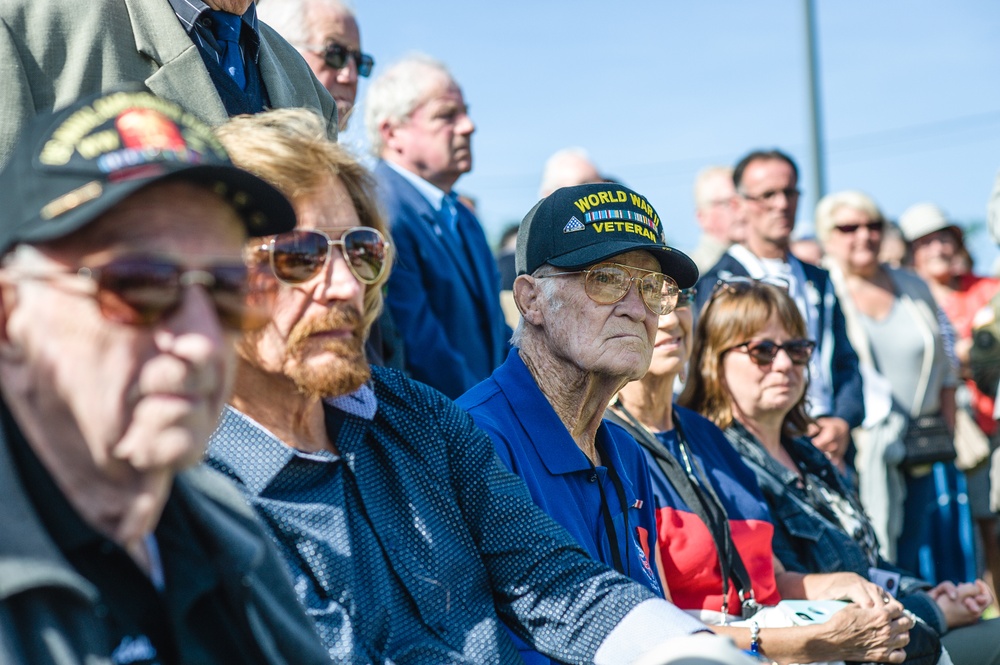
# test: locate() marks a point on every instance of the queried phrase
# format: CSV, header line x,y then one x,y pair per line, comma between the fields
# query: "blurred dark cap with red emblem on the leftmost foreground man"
x,y
71,166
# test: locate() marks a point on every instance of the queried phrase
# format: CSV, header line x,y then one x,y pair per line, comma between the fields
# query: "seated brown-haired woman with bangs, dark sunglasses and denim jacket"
x,y
819,525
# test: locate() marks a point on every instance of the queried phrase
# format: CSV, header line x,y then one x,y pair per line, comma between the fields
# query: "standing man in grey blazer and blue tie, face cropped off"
x,y
54,52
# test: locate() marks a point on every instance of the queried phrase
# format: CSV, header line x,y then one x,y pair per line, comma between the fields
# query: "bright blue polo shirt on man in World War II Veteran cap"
x,y
535,445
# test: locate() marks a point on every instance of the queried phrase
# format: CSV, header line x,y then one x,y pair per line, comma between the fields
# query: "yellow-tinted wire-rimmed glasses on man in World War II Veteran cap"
x,y
607,283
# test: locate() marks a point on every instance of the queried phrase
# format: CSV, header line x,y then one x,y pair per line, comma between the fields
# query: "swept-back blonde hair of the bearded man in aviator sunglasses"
x,y
289,149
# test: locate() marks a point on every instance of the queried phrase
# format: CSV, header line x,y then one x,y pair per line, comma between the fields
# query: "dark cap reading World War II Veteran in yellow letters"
x,y
575,227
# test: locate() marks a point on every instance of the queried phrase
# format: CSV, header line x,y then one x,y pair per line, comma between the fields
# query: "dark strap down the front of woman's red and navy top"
x,y
697,492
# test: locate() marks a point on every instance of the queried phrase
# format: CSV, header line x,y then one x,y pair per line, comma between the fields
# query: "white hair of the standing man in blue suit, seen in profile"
x,y
399,90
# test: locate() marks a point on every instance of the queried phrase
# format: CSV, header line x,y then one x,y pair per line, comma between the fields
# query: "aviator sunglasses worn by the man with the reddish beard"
x,y
298,256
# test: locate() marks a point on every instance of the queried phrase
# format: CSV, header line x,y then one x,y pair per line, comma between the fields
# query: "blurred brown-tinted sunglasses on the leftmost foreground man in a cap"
x,y
144,292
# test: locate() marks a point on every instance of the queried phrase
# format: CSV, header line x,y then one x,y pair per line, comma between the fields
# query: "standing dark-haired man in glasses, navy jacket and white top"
x,y
768,196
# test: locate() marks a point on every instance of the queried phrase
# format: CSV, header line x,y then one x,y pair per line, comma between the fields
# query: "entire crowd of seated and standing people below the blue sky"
x,y
262,404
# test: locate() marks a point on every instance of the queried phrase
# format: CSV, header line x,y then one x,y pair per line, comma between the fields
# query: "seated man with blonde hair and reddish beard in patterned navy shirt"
x,y
408,541
